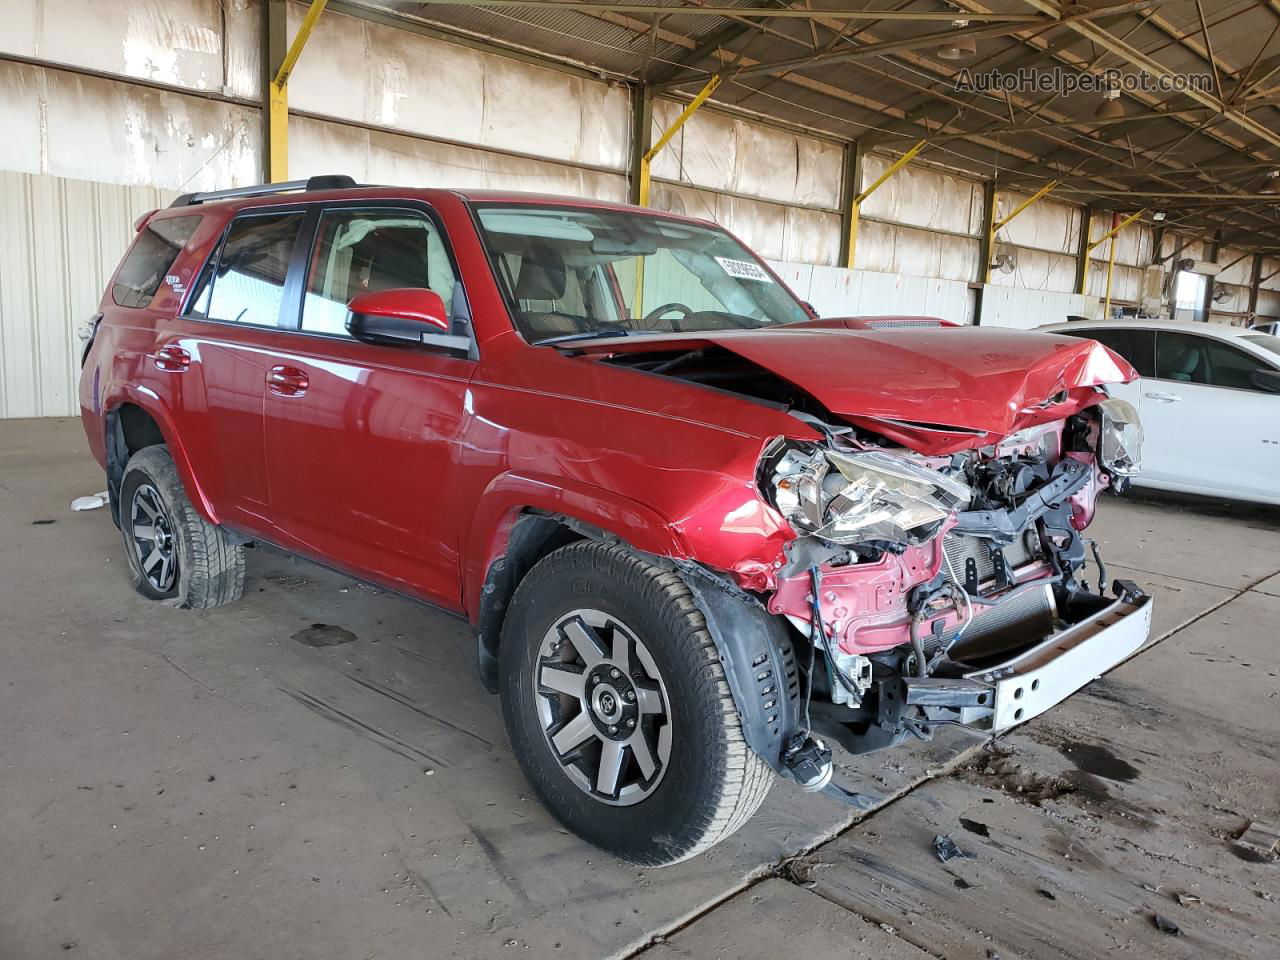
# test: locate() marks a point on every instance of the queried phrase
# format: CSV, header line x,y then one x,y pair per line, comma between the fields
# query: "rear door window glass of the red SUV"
x,y
248,284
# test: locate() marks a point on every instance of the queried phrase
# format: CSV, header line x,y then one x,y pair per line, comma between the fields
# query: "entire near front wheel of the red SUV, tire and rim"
x,y
619,711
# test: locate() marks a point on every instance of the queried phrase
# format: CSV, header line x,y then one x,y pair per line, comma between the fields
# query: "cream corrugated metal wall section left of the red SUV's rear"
x,y
60,243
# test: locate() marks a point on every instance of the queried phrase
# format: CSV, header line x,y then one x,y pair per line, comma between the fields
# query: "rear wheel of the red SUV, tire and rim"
x,y
208,566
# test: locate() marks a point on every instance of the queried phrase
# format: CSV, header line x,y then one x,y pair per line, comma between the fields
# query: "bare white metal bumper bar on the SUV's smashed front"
x,y
1014,692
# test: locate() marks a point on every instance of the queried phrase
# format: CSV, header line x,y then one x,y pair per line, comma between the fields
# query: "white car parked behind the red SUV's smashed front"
x,y
1209,397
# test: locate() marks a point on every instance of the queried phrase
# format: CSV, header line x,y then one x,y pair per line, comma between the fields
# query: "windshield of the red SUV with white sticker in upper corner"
x,y
574,273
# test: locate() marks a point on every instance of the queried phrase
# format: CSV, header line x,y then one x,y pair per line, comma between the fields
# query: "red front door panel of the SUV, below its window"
x,y
362,461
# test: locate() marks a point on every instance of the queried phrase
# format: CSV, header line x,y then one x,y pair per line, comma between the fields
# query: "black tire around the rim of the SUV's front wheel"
x,y
712,783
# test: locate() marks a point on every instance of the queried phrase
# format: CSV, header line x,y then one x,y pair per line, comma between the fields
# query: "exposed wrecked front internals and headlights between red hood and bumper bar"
x,y
909,570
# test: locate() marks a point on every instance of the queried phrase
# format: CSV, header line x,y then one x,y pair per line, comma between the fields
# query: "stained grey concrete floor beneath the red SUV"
x,y
177,784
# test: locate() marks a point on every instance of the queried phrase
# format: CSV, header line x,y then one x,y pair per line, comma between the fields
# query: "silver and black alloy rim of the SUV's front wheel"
x,y
604,707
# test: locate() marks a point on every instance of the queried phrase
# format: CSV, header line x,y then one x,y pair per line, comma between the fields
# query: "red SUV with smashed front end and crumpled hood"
x,y
701,533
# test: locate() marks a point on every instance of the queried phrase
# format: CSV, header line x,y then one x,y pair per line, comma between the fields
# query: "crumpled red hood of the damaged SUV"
x,y
913,385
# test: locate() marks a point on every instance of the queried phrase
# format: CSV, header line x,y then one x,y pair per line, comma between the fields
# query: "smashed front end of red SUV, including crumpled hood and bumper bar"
x,y
930,542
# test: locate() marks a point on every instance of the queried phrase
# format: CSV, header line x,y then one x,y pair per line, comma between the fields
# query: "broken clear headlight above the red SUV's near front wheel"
x,y
851,499
